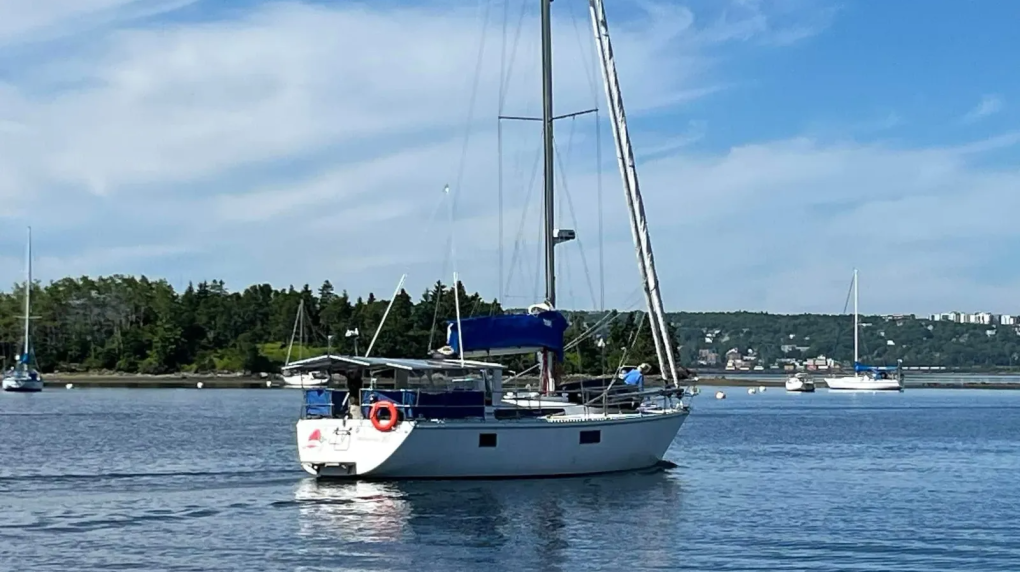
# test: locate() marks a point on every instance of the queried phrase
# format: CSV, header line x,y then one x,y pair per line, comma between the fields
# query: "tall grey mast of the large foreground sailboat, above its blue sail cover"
x,y
547,136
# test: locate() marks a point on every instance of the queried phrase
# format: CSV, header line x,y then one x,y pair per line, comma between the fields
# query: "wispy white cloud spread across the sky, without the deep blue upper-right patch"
x,y
295,142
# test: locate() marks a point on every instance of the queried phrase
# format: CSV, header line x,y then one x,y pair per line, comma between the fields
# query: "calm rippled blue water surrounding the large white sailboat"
x,y
186,480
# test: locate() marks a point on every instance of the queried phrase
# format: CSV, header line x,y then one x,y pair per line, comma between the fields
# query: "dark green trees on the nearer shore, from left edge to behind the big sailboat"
x,y
142,326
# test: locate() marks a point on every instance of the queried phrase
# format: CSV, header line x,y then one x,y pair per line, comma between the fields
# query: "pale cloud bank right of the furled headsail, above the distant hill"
x,y
781,226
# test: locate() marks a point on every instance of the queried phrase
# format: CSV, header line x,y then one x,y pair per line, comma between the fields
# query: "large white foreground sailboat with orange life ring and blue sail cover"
x,y
447,417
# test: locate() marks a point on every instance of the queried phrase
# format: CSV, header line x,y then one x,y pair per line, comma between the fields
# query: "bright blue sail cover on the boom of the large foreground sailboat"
x,y
511,332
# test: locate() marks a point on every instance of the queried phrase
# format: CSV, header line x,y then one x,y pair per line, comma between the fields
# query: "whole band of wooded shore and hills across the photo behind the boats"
x,y
141,326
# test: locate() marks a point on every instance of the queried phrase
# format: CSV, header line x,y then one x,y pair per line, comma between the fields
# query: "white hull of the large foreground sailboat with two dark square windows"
x,y
535,448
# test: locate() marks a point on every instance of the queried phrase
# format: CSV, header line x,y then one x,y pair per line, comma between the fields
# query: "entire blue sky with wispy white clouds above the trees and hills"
x,y
780,145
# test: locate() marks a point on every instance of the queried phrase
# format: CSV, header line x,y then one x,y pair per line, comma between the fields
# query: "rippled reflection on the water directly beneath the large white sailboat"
x,y
505,525
